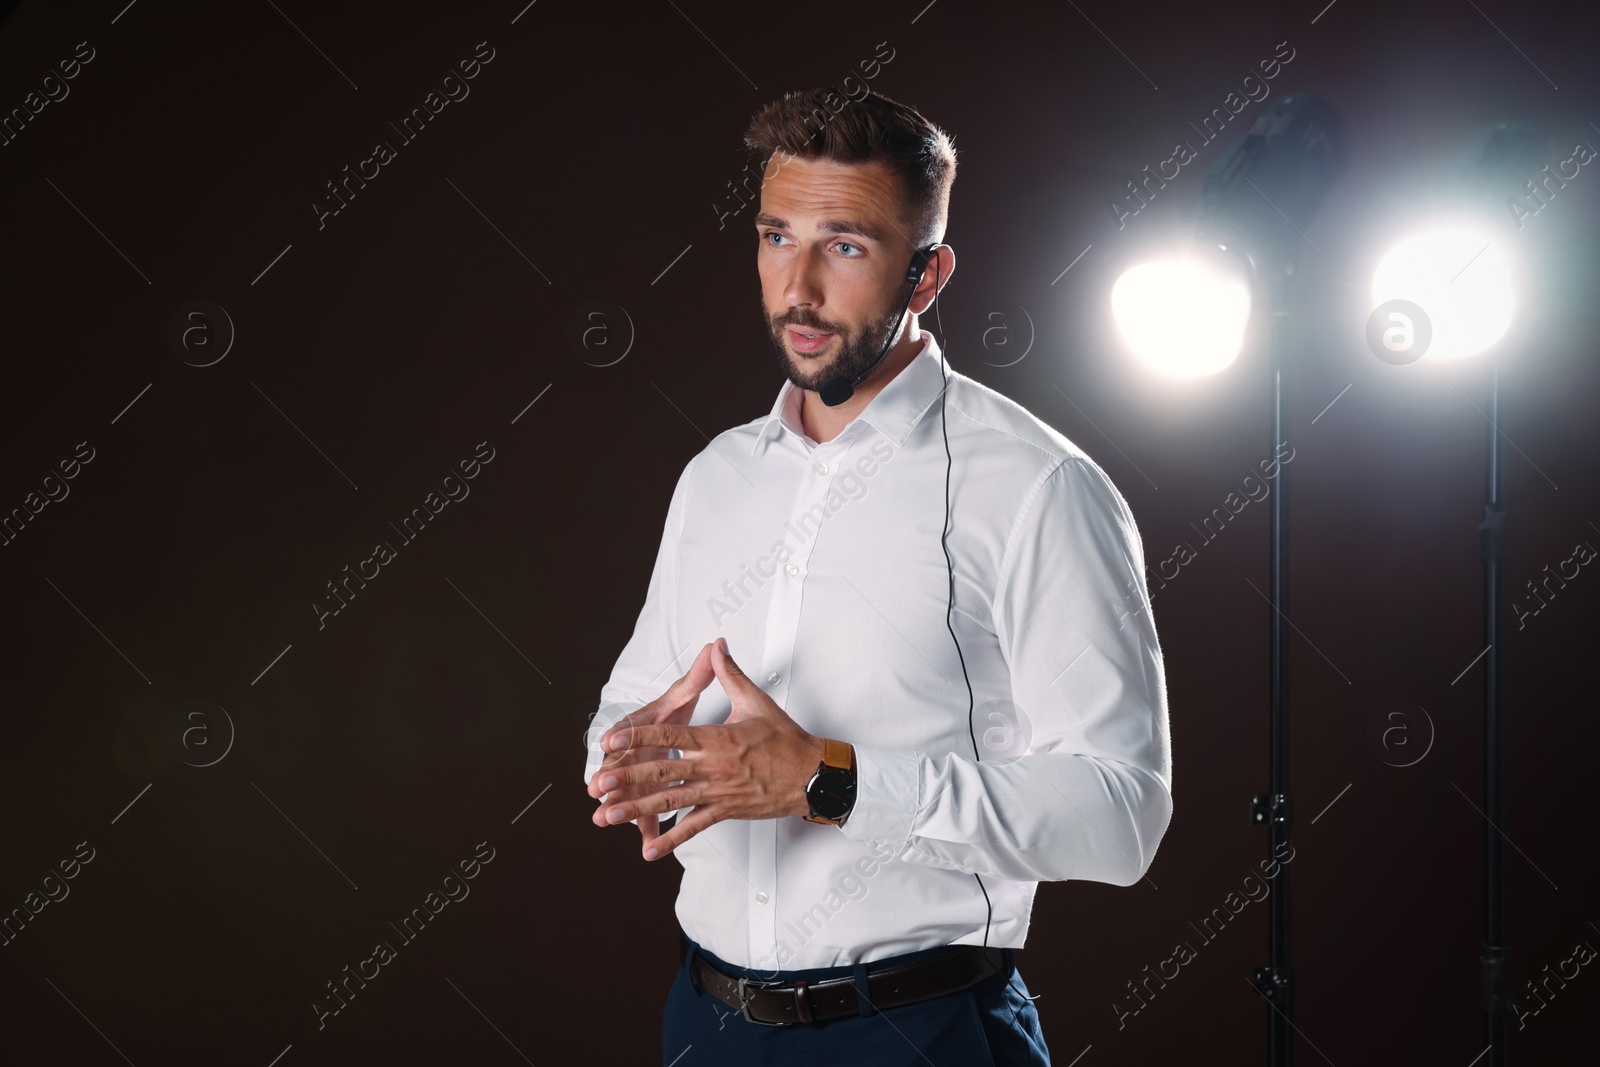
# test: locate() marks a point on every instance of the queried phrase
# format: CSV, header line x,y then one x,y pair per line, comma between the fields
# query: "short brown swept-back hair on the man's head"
x,y
825,124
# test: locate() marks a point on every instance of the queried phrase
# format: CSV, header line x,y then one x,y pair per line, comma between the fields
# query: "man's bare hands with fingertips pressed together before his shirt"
x,y
754,765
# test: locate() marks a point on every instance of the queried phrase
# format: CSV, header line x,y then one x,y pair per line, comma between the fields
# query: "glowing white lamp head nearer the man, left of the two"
x,y
1183,318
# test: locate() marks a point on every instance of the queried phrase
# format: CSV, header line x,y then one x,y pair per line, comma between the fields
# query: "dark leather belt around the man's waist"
x,y
889,986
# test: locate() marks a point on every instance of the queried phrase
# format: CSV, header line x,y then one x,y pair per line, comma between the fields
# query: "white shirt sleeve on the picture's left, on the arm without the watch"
x,y
650,660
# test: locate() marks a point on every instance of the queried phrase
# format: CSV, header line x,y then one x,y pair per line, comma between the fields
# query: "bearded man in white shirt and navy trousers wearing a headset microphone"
x,y
938,700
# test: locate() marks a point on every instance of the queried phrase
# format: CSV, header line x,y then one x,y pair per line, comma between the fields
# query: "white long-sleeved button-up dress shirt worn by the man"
x,y
822,565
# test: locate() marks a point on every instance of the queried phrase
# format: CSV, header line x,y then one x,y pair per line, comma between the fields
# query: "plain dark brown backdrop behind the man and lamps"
x,y
409,330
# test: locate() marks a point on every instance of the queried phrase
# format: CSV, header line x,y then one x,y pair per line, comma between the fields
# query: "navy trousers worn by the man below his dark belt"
x,y
993,1025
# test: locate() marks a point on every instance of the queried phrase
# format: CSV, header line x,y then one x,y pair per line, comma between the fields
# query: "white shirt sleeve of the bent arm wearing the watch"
x,y
1090,797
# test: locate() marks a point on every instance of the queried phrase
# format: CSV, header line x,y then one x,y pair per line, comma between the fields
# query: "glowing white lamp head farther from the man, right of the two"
x,y
1462,281
